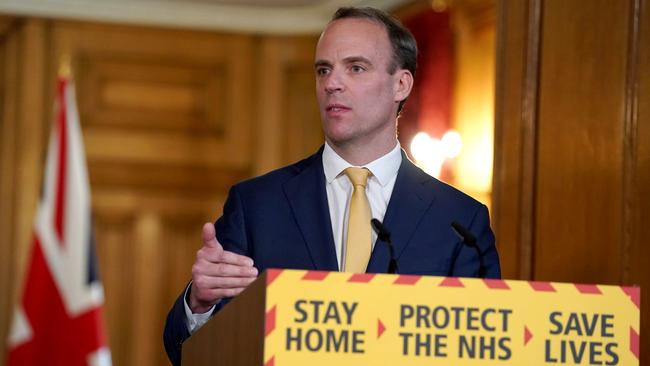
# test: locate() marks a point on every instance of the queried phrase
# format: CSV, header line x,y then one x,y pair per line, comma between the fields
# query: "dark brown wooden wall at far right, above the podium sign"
x,y
572,156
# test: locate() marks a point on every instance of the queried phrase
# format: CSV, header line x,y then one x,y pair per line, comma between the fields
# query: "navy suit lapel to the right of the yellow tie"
x,y
410,199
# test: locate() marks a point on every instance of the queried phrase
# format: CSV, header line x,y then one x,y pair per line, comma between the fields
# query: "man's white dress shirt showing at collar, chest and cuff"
x,y
339,192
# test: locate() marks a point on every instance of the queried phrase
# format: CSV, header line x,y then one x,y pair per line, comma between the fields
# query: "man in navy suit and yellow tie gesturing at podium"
x,y
315,214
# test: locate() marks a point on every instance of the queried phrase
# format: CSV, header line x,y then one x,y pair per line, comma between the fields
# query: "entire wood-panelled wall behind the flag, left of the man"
x,y
171,119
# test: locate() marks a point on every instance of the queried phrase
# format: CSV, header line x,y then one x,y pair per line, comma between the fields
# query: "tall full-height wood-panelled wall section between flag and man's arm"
x,y
167,128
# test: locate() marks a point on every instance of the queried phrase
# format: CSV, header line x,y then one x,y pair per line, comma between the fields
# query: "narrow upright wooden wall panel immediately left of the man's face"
x,y
289,126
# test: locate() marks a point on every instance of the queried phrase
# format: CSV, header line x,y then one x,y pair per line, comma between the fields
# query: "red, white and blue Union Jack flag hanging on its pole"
x,y
59,318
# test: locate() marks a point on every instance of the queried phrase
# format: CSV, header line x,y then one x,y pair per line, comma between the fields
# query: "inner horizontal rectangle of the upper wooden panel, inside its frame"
x,y
128,92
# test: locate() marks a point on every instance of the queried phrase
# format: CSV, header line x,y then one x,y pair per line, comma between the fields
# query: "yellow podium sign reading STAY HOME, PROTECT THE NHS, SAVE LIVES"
x,y
328,318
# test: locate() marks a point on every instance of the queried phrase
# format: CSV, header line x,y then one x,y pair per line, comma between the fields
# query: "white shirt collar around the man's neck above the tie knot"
x,y
384,168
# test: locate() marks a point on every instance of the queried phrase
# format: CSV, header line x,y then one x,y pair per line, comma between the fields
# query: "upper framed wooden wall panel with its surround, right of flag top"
x,y
186,95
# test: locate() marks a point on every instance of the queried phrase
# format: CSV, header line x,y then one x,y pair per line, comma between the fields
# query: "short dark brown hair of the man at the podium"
x,y
405,49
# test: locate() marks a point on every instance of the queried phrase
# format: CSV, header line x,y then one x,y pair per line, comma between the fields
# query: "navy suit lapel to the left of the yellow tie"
x,y
308,200
